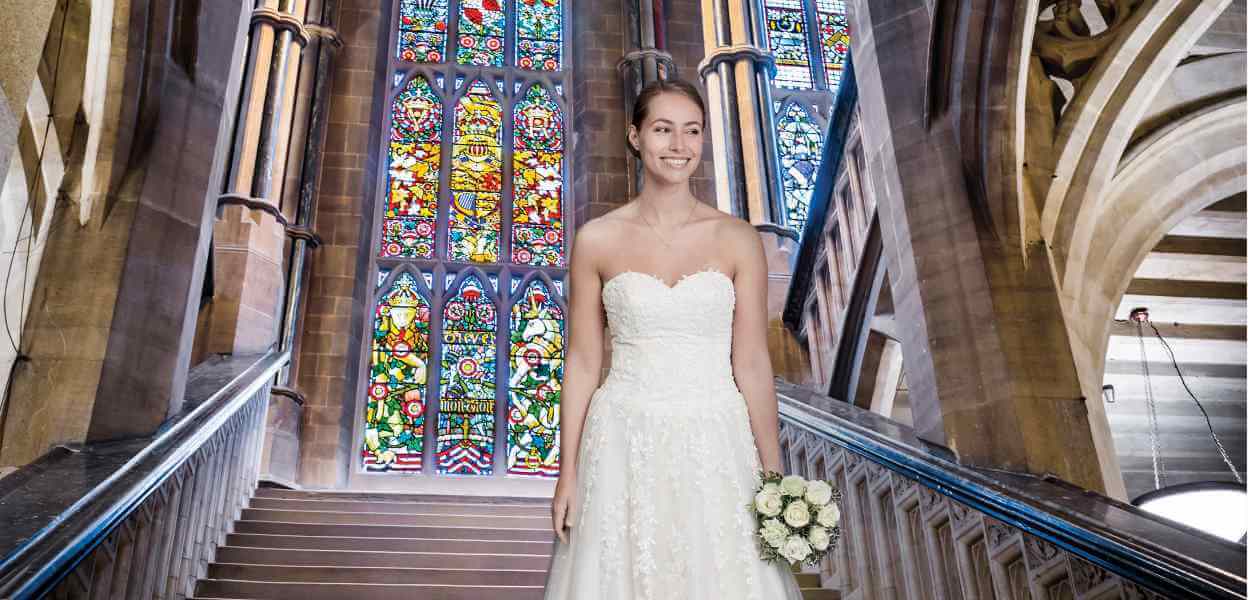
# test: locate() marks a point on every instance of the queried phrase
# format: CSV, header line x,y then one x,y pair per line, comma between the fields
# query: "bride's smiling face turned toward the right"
x,y
671,139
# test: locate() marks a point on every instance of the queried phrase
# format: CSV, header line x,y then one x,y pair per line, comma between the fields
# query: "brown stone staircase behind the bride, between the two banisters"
x,y
306,546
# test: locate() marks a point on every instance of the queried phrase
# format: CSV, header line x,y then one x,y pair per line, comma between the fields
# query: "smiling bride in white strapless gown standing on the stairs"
x,y
661,461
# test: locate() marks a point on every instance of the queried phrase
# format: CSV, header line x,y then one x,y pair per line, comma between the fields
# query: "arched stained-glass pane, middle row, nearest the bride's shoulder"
x,y
537,184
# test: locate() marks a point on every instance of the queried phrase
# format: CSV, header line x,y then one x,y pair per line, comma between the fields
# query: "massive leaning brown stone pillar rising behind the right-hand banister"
x,y
989,364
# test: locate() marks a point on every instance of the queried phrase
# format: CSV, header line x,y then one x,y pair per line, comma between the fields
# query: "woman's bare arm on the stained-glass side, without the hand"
x,y
583,352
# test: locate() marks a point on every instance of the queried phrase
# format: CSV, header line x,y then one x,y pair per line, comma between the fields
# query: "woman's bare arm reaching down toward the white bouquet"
x,y
752,361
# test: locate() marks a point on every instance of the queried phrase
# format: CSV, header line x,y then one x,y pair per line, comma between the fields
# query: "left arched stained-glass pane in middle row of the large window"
x,y
415,159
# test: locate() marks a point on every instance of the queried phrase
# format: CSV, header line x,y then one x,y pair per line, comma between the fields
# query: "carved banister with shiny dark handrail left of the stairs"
x,y
140,518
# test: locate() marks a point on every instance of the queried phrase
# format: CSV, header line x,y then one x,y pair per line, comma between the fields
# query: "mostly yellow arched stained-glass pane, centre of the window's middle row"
x,y
476,177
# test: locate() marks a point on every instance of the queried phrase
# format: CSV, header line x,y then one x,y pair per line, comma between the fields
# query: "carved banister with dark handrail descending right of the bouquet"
x,y
919,526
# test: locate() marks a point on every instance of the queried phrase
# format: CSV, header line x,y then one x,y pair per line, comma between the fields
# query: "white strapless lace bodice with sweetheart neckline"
x,y
671,339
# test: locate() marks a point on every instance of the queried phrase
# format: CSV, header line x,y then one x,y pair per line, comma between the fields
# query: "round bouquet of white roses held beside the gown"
x,y
799,521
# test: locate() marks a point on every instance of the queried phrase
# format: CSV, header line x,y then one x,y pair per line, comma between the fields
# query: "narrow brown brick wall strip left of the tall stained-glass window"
x,y
328,354
